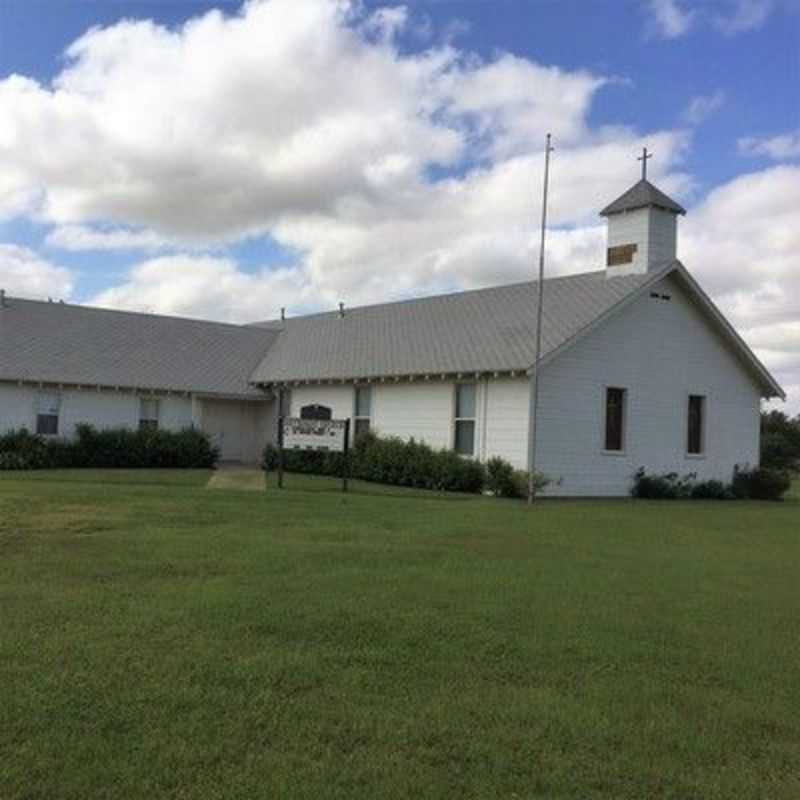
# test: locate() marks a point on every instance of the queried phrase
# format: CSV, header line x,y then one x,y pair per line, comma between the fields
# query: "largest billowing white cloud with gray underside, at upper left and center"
x,y
203,133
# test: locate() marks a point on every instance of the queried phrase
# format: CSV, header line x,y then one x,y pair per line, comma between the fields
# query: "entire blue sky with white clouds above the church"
x,y
224,160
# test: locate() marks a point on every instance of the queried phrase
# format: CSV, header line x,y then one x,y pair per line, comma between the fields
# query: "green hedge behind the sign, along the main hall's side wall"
x,y
391,460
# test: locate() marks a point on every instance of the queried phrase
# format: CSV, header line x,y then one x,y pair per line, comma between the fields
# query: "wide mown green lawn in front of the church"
x,y
158,639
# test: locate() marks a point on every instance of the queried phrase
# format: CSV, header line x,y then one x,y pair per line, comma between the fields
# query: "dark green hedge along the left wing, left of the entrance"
x,y
111,448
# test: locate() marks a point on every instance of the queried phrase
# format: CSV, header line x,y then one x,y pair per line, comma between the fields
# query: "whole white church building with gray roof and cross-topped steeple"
x,y
639,368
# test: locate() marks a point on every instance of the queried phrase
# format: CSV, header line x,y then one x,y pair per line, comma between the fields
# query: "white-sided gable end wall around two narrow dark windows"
x,y
661,352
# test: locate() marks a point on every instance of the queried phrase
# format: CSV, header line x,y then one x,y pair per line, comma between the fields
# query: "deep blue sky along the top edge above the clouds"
x,y
759,72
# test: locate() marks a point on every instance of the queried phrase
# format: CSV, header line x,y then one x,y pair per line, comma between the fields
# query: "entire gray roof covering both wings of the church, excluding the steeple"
x,y
485,330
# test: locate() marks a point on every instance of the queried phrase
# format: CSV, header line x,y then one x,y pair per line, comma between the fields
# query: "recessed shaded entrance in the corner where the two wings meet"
x,y
239,428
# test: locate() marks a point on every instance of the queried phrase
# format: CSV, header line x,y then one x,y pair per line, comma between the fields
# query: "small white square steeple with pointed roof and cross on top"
x,y
642,228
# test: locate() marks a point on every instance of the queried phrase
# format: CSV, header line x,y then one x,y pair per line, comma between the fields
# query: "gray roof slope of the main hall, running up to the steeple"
x,y
475,331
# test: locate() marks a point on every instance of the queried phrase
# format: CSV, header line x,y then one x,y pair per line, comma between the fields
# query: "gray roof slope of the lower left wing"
x,y
63,343
